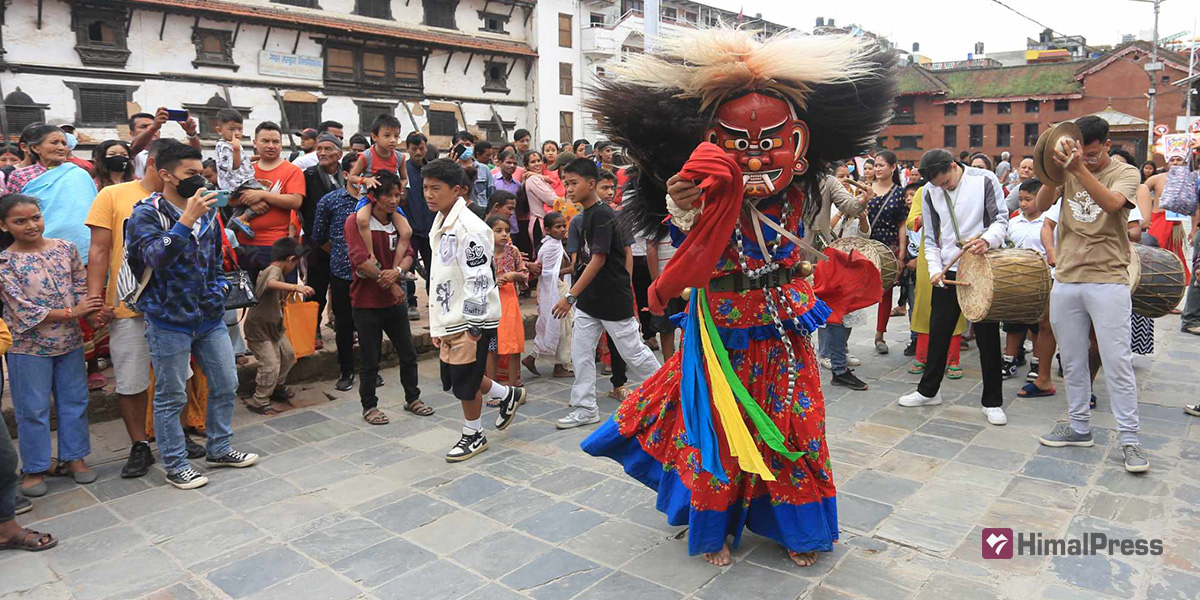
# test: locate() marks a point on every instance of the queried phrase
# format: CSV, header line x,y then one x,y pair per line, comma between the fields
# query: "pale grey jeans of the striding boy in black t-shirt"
x,y
584,353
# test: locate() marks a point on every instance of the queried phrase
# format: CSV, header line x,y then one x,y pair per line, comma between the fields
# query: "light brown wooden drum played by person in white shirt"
x,y
1012,286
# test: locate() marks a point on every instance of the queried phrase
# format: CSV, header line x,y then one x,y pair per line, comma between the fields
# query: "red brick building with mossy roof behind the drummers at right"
x,y
992,110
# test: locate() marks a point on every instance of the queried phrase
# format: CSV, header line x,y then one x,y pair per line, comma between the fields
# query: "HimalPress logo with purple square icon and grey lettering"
x,y
1000,543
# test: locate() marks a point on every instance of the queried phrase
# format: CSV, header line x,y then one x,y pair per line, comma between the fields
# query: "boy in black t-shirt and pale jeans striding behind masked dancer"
x,y
603,297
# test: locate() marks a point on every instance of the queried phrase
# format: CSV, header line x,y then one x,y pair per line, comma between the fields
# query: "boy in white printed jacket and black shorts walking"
x,y
465,305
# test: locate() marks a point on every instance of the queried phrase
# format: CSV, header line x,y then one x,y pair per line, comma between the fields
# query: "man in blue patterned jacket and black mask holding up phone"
x,y
175,255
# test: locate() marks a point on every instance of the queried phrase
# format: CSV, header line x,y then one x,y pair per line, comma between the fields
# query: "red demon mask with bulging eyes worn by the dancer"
x,y
763,134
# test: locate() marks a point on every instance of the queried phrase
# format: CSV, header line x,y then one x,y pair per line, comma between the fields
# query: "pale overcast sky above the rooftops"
x,y
950,31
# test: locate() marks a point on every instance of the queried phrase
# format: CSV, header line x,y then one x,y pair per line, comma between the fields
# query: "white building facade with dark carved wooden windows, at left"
x,y
437,65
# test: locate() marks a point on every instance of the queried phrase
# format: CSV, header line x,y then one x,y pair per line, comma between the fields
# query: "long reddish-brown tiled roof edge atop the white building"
x,y
308,20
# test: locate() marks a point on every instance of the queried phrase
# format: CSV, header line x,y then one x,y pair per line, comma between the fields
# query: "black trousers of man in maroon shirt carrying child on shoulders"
x,y
373,325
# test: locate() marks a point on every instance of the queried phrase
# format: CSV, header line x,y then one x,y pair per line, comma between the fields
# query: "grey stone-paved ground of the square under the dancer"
x,y
341,511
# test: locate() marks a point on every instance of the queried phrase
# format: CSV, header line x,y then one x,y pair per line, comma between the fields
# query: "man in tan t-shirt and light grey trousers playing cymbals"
x,y
1093,286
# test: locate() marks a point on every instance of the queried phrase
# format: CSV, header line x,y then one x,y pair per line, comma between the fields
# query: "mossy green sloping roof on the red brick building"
x,y
1025,82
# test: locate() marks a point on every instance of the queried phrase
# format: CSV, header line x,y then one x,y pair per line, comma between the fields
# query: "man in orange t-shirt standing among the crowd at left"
x,y
284,194
